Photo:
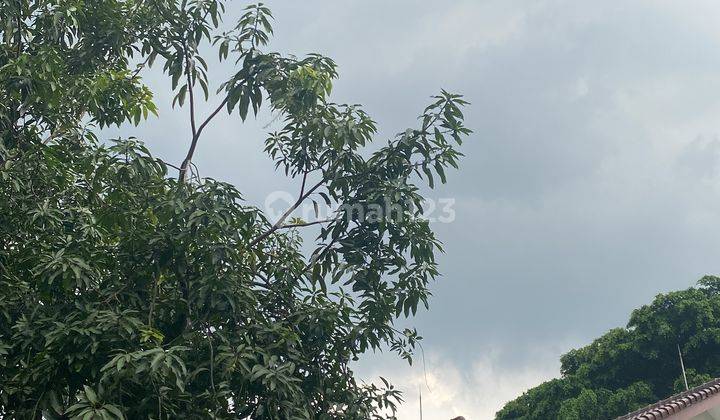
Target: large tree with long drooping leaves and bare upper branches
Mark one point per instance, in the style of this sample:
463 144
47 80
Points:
129 292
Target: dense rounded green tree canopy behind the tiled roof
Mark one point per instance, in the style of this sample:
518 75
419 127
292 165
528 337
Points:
628 368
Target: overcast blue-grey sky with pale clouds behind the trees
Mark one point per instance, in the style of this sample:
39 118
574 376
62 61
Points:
591 183
